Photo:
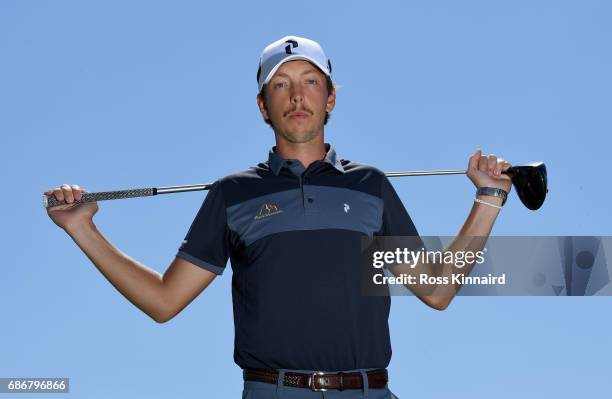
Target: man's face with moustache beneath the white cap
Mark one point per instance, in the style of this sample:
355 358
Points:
297 101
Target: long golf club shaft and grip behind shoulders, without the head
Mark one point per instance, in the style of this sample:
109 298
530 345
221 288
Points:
50 200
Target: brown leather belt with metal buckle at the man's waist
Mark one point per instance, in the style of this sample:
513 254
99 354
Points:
320 381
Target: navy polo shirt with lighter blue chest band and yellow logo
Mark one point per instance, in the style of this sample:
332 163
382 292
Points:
293 236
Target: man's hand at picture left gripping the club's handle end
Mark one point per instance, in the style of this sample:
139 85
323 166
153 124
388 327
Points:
71 216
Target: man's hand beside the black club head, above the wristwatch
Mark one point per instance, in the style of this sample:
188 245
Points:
485 171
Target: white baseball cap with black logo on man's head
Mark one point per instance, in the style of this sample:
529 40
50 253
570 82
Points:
290 48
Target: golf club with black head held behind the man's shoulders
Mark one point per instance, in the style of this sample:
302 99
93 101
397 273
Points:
529 181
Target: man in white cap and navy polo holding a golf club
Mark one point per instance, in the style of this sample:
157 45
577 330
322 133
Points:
292 228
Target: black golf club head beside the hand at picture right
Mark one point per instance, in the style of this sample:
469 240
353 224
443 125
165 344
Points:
530 183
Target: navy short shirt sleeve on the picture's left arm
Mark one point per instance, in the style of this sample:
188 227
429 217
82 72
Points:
207 243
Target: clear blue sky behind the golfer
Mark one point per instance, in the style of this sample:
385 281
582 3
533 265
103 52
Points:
113 95
